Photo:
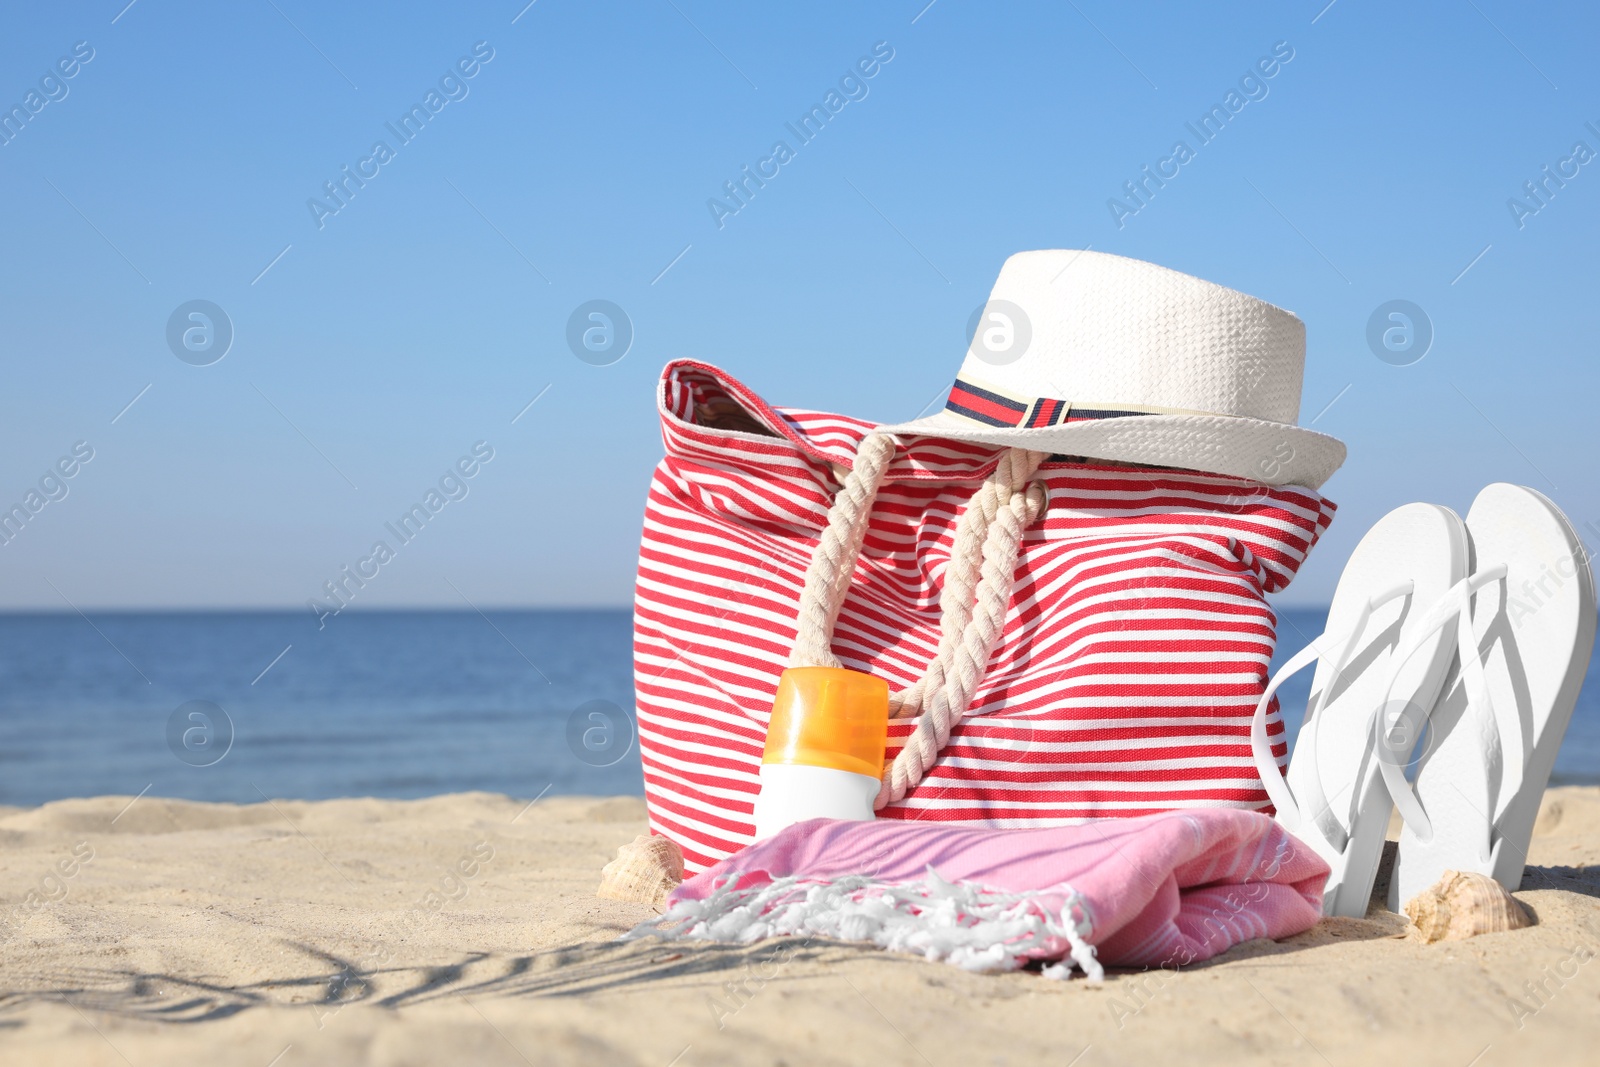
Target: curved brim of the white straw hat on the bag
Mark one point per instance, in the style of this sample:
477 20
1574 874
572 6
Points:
1274 454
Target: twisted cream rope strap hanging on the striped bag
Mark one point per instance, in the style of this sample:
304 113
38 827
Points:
972 605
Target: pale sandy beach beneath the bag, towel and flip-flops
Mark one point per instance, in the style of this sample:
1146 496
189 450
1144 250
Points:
465 930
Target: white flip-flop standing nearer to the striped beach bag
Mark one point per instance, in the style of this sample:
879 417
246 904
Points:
1334 796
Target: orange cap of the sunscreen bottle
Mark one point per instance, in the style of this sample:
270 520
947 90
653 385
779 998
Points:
830 717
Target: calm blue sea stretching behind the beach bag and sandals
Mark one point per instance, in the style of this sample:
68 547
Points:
242 706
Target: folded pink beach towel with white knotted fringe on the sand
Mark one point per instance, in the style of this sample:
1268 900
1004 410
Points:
1162 890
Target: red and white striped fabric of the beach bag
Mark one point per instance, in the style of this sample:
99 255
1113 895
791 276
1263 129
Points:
1134 653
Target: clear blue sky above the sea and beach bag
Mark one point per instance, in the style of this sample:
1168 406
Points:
423 316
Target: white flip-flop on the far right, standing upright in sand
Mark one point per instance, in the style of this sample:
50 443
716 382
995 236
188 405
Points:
1524 625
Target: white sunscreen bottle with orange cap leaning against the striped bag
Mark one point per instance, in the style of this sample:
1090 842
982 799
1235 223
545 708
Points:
825 748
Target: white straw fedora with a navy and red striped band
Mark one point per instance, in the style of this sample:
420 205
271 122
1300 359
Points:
1097 356
